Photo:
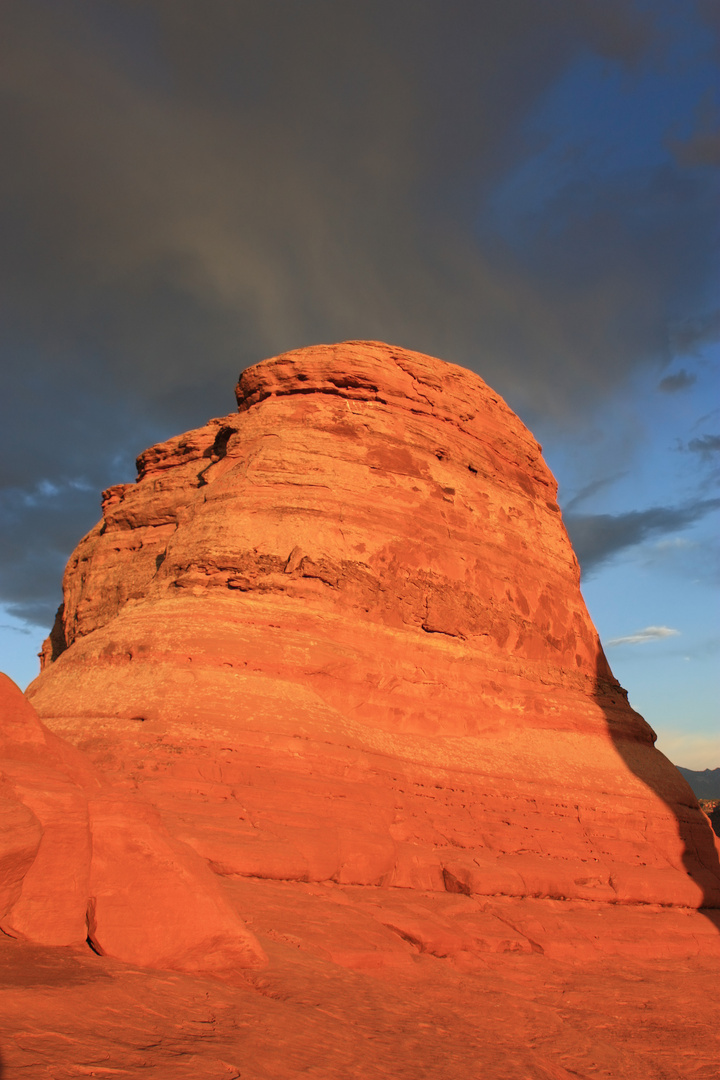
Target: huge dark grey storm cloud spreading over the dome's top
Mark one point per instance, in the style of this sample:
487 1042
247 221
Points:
191 187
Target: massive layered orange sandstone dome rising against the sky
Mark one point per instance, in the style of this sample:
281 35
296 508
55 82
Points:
338 636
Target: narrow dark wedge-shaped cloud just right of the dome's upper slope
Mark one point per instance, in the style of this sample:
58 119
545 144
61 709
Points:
596 538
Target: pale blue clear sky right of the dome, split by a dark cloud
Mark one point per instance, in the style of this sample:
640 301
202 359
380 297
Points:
669 583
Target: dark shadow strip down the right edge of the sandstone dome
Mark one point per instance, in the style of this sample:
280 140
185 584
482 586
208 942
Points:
635 745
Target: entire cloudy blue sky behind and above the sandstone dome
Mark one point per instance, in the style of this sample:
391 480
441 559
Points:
528 190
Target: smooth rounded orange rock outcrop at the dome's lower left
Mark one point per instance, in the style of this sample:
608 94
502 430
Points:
80 860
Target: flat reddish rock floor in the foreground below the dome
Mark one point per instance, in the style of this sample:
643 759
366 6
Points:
358 987
